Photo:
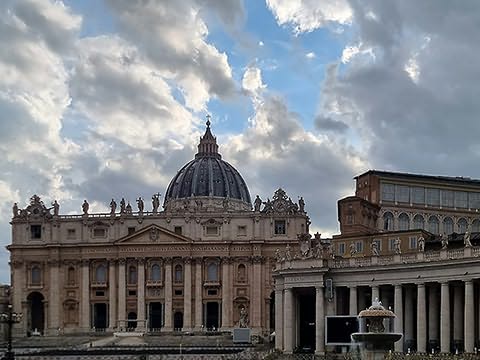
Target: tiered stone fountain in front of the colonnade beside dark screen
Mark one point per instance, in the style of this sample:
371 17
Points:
376 331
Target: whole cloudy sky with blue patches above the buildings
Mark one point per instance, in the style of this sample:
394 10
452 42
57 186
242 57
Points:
108 99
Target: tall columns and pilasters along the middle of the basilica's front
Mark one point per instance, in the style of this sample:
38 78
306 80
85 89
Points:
194 280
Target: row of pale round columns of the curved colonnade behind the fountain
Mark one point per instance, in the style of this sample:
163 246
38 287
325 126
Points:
438 316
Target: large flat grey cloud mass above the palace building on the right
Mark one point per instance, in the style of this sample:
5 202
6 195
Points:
413 104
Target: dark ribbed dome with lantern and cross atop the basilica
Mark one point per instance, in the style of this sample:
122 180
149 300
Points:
208 176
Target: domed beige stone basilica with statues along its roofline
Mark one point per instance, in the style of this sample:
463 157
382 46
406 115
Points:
192 266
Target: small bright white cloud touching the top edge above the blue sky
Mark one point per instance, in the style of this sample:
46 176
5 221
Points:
309 15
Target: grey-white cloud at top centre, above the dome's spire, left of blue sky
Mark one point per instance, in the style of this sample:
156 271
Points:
172 36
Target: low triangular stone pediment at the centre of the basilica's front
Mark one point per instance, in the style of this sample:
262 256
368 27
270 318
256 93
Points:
153 234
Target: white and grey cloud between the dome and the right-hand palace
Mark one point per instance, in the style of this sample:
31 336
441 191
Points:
277 151
